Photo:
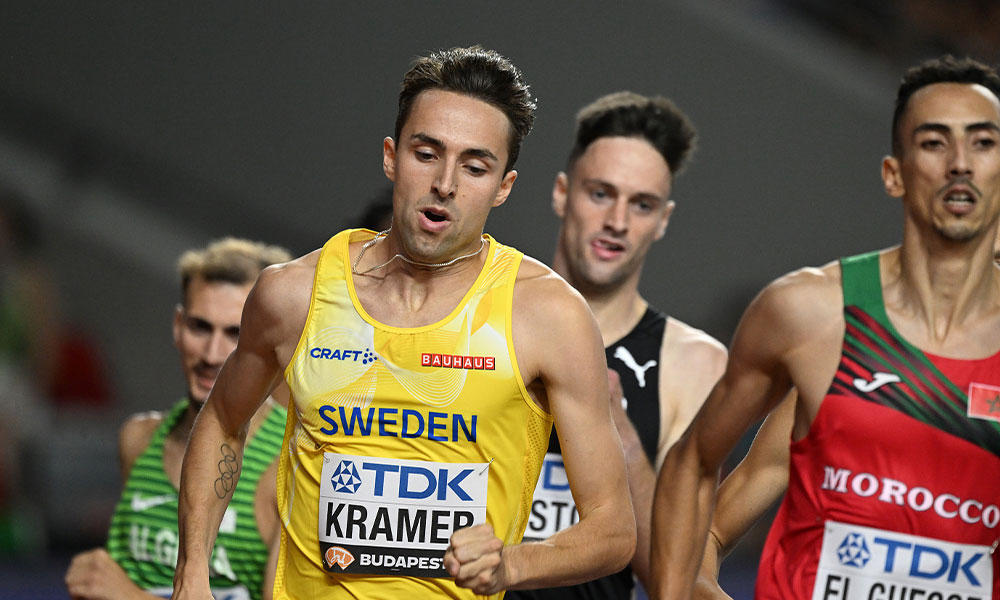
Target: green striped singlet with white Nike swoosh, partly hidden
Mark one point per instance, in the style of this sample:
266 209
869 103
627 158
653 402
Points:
143 535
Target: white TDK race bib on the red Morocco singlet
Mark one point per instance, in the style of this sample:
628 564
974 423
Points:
862 563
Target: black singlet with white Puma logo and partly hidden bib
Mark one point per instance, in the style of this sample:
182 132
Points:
636 358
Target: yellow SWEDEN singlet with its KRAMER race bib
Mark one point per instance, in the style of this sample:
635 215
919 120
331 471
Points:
400 436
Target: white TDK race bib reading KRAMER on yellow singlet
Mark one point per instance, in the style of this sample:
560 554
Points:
391 516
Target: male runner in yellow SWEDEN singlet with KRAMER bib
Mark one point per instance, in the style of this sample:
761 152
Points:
426 366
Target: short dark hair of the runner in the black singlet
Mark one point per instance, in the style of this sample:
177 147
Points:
626 114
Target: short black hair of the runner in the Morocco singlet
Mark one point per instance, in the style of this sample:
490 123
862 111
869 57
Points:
945 69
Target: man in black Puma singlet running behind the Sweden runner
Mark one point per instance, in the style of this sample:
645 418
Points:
614 201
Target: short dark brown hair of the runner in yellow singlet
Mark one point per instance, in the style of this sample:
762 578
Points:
477 72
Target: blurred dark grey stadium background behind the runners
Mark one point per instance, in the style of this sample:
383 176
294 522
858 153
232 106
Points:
130 132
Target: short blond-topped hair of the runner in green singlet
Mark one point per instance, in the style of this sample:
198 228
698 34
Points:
228 260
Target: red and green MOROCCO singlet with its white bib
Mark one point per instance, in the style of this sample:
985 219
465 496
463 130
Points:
893 494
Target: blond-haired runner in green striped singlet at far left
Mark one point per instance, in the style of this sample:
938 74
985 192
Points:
141 553
